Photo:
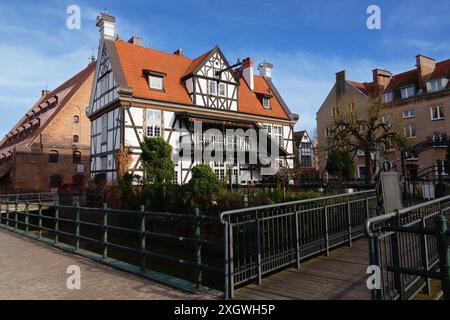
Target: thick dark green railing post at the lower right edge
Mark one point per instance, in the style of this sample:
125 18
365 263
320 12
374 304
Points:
442 235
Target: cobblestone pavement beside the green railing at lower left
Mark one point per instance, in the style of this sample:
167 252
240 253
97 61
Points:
33 270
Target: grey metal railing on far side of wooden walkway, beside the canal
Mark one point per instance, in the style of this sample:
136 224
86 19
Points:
264 239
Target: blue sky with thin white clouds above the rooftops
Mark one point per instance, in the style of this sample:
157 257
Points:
307 41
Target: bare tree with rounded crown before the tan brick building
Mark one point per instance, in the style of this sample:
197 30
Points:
370 134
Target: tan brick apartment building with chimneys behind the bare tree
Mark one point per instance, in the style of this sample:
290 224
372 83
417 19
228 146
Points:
415 101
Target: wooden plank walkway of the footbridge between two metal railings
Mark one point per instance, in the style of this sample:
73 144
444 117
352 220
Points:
341 276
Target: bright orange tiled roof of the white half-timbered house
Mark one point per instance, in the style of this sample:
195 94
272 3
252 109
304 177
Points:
134 59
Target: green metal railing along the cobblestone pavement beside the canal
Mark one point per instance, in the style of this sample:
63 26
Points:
127 240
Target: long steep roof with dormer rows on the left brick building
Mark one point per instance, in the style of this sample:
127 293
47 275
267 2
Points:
42 112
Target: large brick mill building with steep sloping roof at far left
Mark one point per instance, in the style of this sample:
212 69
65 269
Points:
49 146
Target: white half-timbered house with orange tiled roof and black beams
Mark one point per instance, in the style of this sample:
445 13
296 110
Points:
141 92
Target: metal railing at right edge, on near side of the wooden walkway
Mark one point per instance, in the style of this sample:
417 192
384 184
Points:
404 245
